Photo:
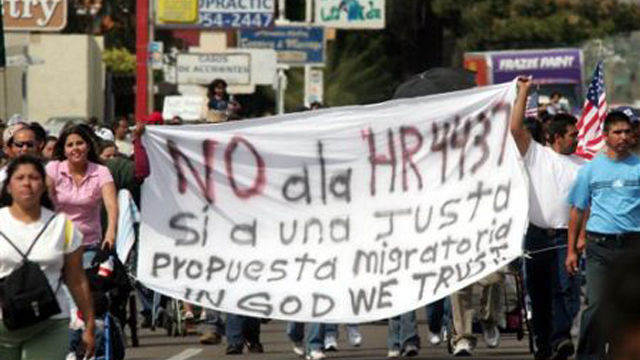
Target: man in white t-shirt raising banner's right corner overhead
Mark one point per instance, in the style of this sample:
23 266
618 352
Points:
555 296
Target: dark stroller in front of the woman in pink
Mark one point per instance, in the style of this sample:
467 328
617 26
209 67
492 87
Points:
110 287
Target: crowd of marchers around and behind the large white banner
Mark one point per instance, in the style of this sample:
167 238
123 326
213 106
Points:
59 209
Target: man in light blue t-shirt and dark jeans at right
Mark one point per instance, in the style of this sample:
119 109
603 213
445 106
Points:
610 186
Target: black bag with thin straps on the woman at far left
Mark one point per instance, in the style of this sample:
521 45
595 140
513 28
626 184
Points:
25 294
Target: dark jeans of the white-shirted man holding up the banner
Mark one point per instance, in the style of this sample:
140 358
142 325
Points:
554 294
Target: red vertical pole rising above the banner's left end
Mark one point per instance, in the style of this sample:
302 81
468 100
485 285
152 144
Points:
142 44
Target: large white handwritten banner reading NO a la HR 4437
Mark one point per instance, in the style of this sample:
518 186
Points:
341 215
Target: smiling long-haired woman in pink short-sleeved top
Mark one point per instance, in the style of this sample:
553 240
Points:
79 185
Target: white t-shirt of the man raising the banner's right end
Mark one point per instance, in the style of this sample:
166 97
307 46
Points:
551 176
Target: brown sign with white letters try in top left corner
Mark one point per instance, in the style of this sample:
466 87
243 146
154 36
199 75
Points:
34 15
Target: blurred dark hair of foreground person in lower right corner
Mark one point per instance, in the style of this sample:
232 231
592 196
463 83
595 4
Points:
619 313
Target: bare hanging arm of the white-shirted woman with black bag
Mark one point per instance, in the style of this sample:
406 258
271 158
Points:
76 281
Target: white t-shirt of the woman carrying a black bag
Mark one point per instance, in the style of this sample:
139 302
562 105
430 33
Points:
60 238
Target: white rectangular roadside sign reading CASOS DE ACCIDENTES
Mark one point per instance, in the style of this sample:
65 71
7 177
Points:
234 68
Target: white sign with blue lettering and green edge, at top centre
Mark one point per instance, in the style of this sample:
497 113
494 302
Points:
350 14
